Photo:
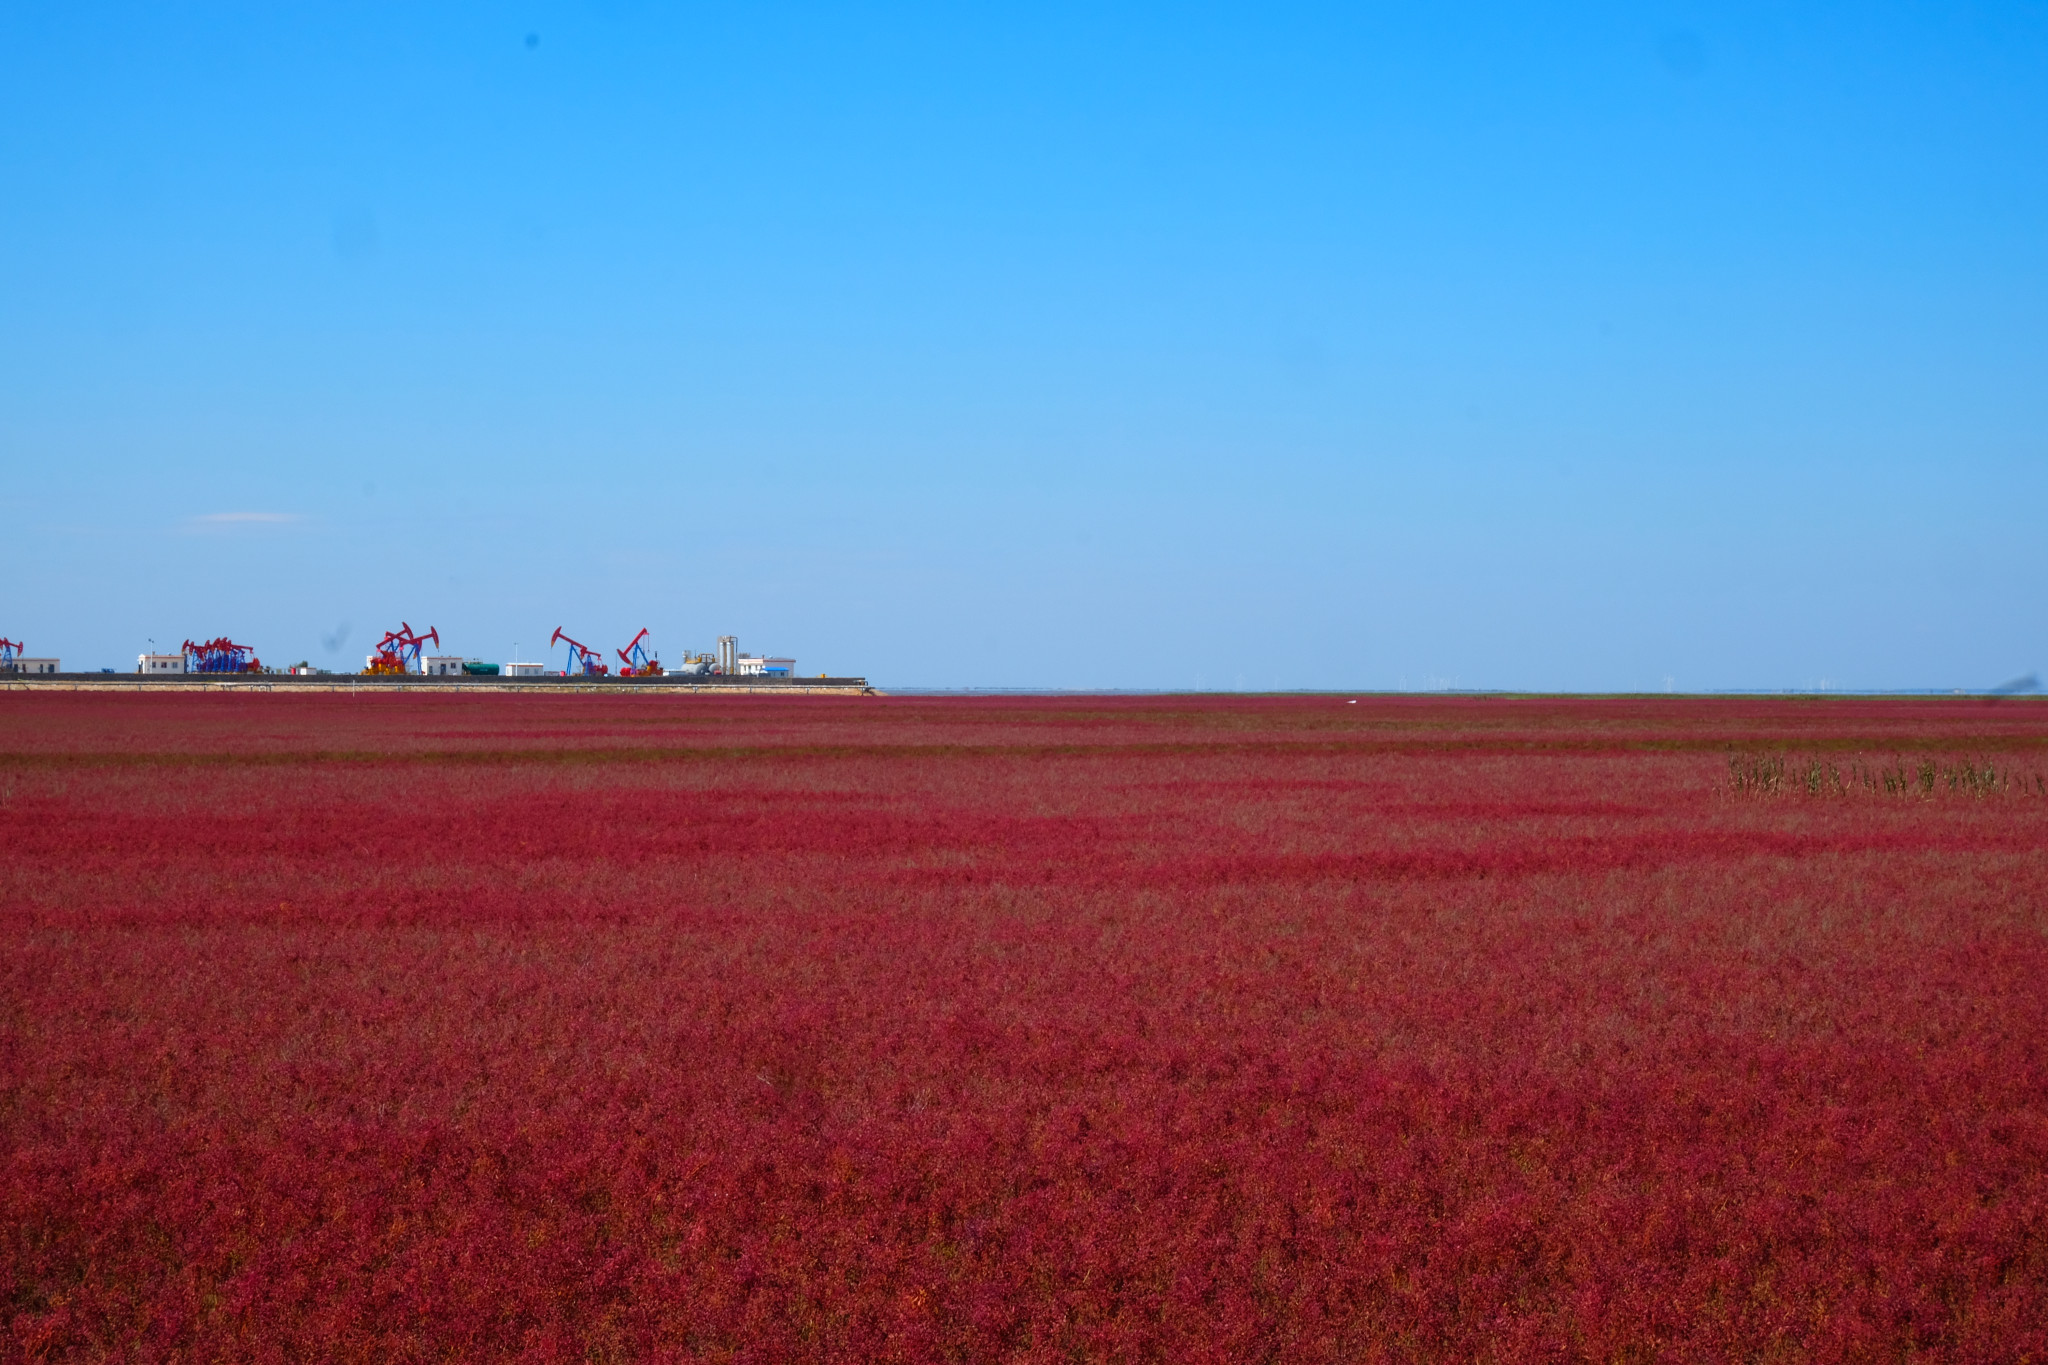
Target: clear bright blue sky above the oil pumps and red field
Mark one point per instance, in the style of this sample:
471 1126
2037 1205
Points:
1129 347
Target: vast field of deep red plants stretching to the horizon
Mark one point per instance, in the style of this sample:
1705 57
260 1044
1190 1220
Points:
1023 1030
